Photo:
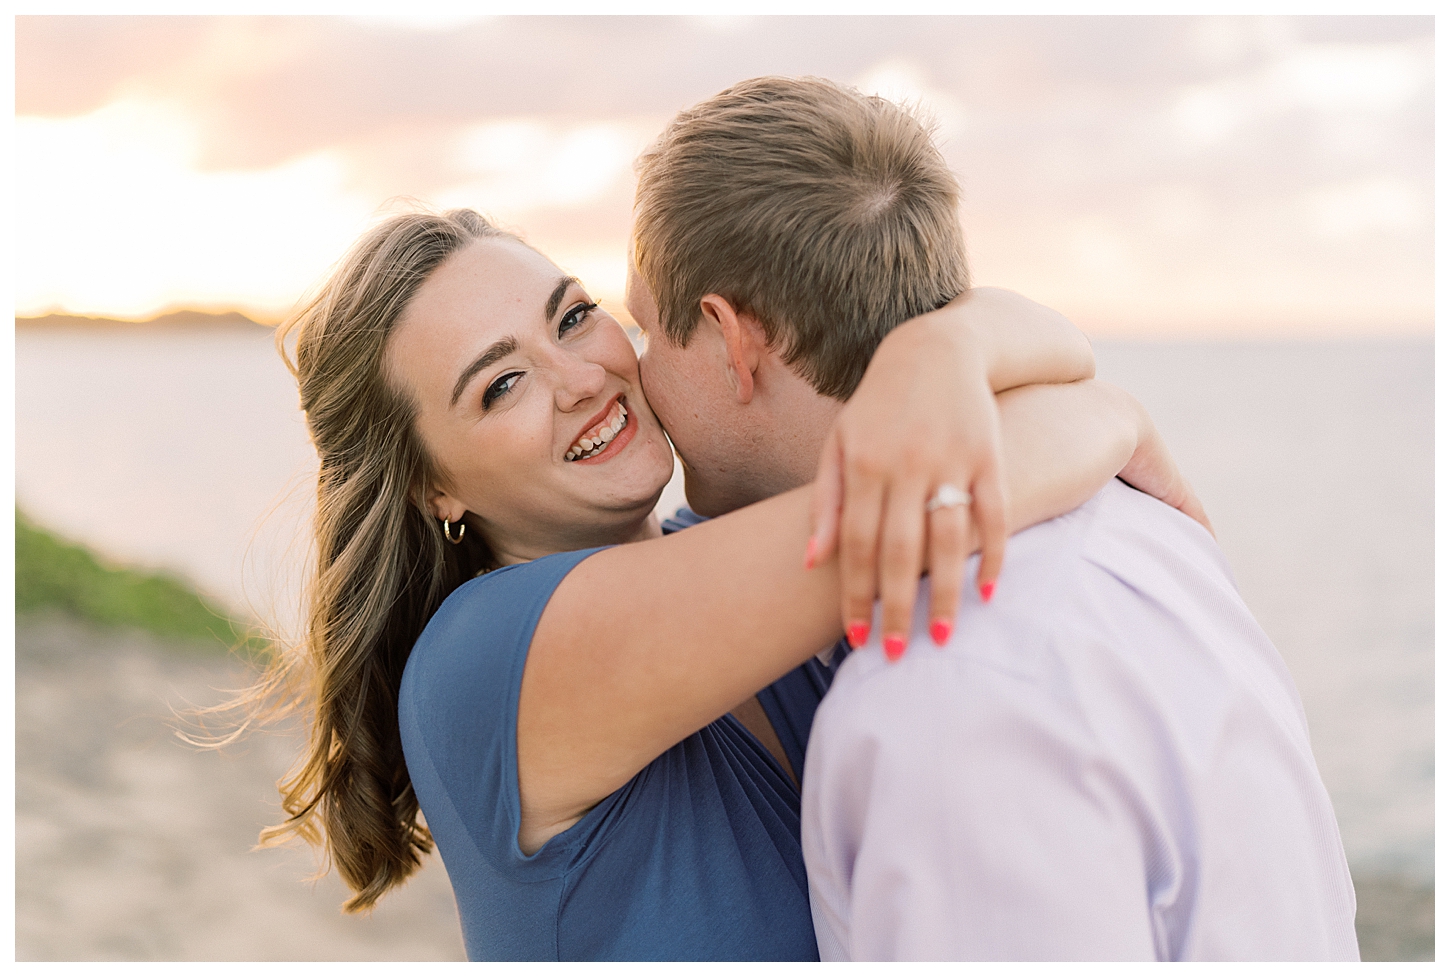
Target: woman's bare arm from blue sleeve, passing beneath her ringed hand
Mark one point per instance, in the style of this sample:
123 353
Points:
647 643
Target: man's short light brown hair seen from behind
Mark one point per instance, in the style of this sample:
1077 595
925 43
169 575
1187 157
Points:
826 214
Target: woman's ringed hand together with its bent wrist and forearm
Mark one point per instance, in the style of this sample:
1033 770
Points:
924 417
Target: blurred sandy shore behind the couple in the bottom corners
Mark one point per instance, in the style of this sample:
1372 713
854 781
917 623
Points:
133 846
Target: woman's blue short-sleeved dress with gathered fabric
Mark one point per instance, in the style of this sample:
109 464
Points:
698 857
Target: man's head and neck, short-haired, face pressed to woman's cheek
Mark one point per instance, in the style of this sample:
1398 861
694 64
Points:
782 230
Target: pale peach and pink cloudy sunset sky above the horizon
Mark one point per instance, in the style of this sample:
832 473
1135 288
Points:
1146 176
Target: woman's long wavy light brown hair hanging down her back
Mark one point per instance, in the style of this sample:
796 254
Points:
382 565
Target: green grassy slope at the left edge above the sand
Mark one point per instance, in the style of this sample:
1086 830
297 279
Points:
54 575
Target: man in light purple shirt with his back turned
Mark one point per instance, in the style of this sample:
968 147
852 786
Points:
1110 760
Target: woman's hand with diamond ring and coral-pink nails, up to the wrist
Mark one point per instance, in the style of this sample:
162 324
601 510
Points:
924 417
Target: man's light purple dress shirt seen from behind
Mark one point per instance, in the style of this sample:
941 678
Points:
1110 762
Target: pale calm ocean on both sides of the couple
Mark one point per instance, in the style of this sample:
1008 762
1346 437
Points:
185 450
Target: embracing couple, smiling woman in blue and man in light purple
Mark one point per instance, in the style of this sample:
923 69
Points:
758 731
